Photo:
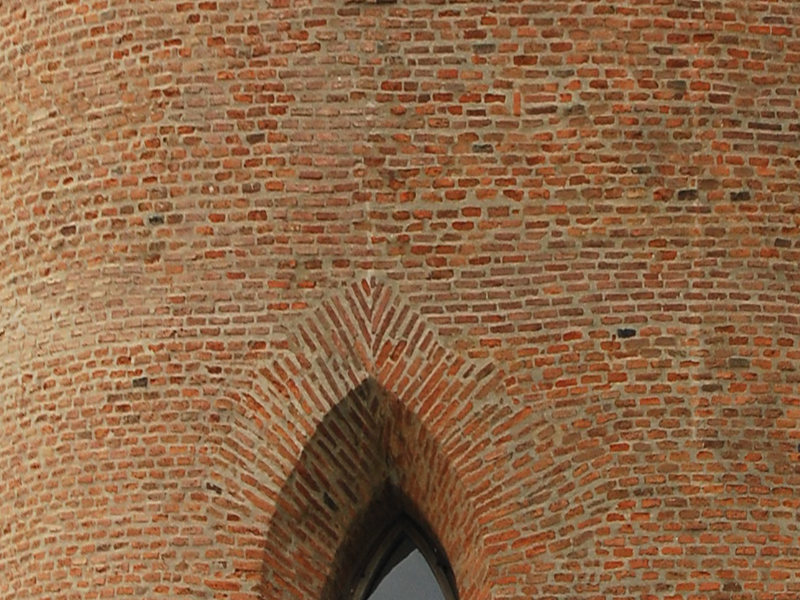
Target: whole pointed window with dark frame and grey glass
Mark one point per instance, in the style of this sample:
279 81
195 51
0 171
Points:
405 566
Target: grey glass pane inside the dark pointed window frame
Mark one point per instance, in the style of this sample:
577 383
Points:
406 576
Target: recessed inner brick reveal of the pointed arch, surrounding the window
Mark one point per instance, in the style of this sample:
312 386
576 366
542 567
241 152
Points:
370 460
